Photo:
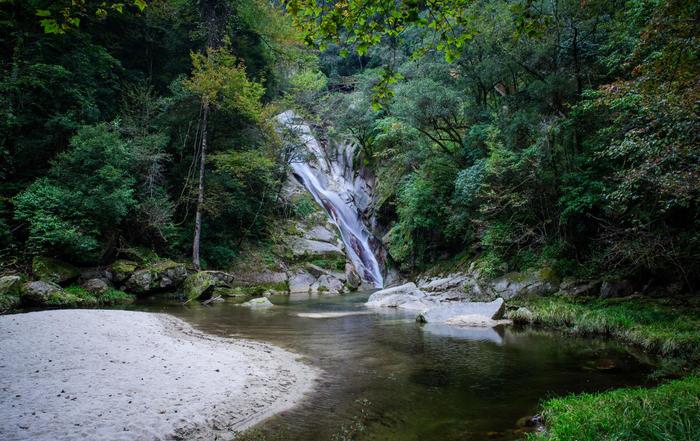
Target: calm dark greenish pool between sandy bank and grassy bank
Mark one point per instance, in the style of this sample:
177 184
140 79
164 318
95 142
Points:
406 381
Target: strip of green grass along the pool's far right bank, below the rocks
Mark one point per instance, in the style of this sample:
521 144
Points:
667 327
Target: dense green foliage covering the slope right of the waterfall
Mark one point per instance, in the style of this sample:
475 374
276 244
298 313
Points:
560 132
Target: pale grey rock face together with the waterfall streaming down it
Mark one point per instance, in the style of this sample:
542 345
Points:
345 194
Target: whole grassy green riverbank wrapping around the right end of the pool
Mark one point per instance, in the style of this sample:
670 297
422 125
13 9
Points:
667 328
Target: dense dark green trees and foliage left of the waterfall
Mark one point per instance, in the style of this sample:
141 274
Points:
100 124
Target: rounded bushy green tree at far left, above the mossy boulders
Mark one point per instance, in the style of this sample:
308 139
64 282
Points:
88 192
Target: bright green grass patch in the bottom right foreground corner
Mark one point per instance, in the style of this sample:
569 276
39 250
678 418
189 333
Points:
670 412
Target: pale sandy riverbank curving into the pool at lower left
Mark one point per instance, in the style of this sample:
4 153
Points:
95 374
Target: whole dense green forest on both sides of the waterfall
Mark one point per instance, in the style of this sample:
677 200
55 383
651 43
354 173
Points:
558 132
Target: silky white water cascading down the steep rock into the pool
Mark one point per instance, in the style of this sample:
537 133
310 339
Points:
331 184
